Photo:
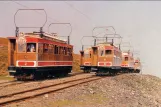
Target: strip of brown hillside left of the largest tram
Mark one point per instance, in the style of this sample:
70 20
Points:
3 55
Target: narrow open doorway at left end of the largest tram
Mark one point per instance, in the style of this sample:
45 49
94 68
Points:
12 52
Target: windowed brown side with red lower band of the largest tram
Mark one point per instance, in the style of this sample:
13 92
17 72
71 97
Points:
55 58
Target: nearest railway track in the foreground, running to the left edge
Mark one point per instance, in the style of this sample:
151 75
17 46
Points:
28 94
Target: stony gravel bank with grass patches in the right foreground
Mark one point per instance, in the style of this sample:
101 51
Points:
127 90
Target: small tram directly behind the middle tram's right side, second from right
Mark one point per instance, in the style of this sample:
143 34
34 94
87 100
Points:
127 65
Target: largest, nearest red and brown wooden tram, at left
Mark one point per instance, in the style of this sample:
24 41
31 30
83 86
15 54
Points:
38 55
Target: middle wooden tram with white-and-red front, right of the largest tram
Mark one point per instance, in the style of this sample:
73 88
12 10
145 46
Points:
107 59
